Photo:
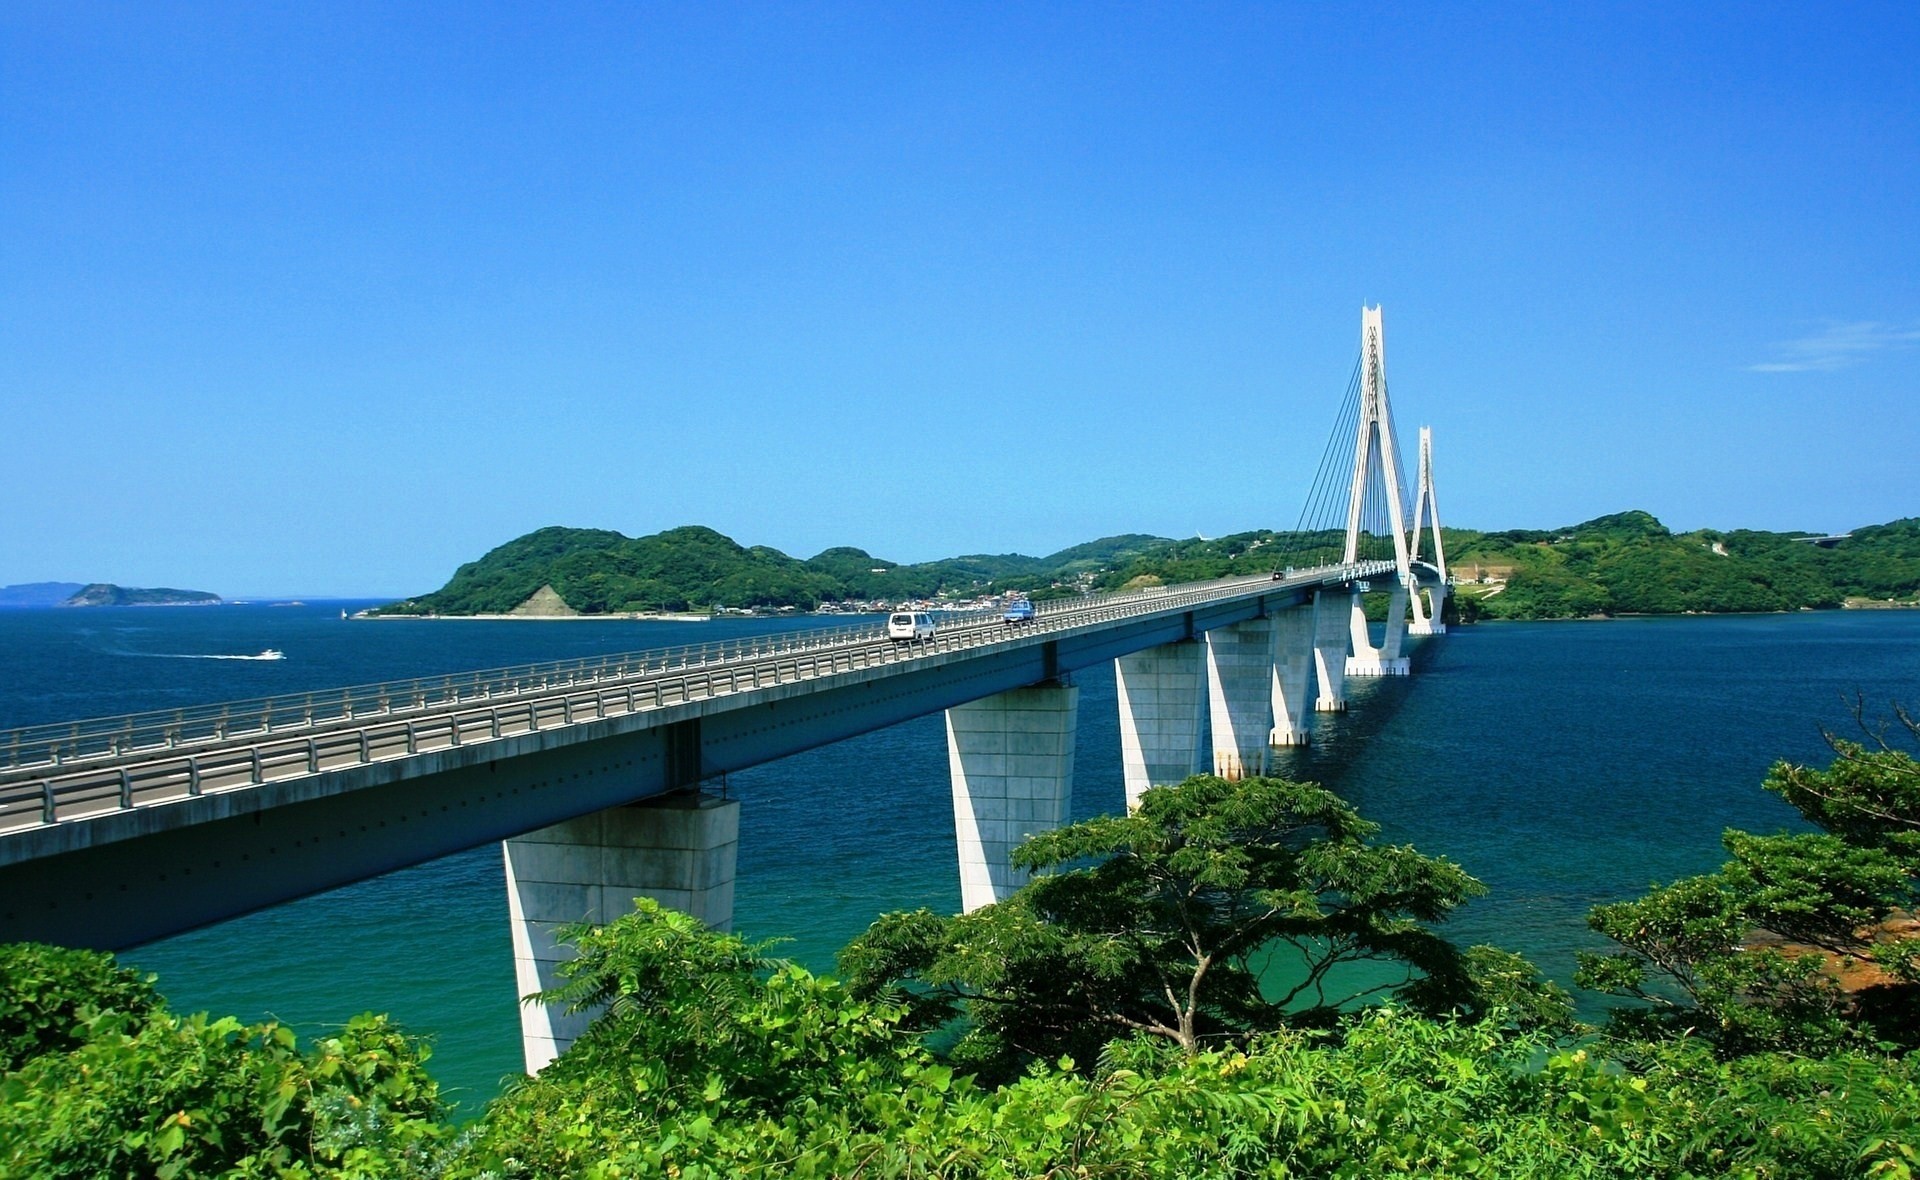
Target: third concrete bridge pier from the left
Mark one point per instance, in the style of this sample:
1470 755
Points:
1161 701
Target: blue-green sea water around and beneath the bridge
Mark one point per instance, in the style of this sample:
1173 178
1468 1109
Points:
1564 765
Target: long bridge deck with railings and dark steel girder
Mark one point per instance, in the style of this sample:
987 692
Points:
128 830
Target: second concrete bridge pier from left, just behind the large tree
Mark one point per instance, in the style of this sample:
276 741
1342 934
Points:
1011 757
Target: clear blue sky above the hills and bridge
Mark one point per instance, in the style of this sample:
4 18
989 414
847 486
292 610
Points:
327 298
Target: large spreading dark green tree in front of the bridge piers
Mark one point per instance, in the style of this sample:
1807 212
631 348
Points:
1214 910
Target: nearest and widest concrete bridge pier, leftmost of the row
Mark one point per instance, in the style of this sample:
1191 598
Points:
677 849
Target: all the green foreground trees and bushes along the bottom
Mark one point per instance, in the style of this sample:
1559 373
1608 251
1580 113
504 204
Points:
1105 1022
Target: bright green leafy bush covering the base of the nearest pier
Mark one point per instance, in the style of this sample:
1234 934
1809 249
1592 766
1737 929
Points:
700 1033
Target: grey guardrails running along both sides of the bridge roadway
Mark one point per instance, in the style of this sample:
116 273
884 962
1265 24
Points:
454 711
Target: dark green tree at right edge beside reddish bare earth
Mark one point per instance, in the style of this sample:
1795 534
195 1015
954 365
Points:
1754 958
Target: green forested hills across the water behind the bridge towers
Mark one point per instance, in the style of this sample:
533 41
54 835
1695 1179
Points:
1627 563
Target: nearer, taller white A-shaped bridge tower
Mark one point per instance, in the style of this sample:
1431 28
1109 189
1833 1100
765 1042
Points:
1378 458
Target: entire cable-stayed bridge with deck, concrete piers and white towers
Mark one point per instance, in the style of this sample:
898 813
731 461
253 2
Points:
118 832
